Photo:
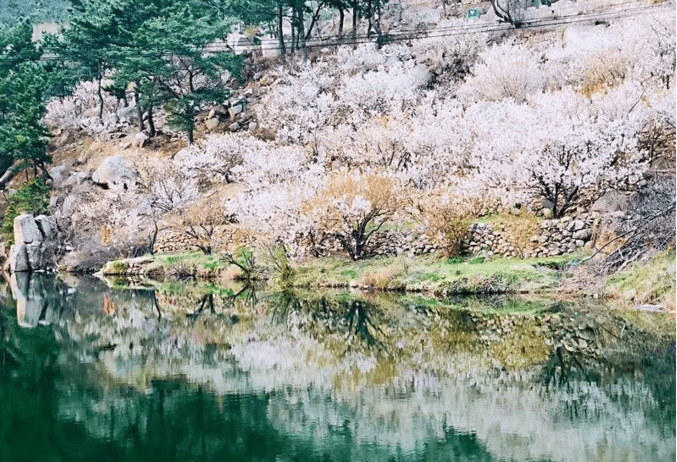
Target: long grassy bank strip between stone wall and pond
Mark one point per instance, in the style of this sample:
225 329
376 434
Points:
429 274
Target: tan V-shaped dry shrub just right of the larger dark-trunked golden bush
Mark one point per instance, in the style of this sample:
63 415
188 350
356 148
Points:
447 219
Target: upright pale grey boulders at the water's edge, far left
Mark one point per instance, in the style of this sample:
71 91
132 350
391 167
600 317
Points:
35 244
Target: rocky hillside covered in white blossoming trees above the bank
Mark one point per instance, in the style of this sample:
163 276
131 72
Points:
419 137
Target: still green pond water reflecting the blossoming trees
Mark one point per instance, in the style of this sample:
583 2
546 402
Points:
180 375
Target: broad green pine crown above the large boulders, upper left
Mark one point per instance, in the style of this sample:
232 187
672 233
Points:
163 47
